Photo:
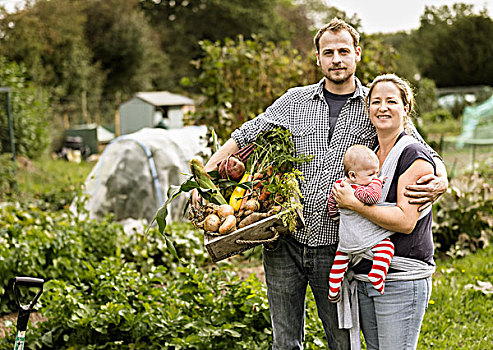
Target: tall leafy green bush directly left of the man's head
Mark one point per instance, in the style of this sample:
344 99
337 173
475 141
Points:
241 77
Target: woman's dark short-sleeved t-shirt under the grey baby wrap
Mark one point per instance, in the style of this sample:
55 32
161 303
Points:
419 243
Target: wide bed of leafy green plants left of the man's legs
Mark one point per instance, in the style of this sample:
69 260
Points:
110 290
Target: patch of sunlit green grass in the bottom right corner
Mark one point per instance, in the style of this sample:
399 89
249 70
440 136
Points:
458 316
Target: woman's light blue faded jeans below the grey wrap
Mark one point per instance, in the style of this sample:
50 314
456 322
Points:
392 321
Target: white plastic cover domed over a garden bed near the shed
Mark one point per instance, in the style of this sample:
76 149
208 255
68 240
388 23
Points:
122 181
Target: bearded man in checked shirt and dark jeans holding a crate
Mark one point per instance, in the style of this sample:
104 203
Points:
325 119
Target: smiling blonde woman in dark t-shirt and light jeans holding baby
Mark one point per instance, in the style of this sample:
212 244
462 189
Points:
393 320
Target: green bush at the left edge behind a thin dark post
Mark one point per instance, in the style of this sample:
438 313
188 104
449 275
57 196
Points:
29 106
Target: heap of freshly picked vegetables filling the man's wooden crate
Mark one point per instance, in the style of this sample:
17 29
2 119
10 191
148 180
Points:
269 182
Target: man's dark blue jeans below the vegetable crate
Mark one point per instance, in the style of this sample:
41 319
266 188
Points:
289 268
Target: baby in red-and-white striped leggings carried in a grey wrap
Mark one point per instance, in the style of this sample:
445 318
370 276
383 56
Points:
361 167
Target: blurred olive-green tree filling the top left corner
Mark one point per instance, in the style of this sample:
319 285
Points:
47 37
